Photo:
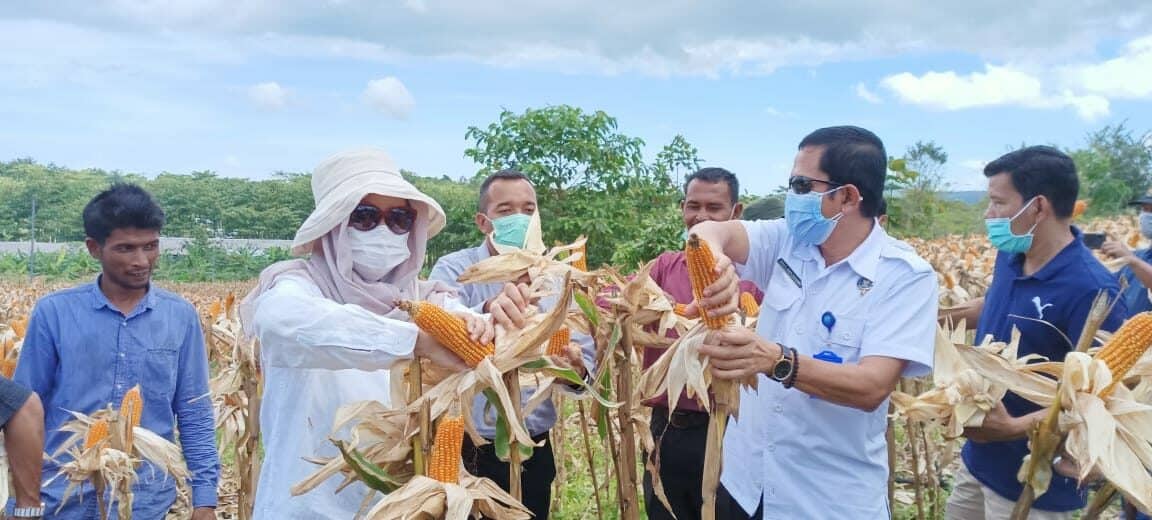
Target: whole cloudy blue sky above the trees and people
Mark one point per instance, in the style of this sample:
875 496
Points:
247 88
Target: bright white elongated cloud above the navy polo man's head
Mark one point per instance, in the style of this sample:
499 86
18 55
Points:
995 87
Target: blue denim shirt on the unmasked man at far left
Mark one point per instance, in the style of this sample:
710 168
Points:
82 355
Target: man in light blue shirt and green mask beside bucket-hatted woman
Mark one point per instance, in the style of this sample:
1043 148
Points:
507 206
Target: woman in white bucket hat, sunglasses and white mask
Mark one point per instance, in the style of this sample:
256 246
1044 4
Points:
328 325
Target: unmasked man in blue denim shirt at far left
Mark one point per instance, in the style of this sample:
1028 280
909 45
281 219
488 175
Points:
87 346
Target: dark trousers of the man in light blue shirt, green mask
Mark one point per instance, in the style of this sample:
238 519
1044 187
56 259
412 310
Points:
536 478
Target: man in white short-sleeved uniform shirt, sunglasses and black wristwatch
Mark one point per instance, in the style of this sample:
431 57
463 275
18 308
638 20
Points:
847 312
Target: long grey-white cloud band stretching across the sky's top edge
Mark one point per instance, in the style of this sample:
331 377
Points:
645 36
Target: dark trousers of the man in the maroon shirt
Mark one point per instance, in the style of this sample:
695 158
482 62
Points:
681 450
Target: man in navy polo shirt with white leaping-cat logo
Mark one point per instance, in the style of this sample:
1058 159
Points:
1044 284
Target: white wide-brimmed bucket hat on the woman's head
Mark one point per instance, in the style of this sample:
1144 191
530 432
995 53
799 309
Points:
343 180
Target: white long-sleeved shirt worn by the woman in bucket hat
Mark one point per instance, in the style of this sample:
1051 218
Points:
317 357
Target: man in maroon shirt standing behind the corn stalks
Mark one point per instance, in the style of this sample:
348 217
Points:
710 194
